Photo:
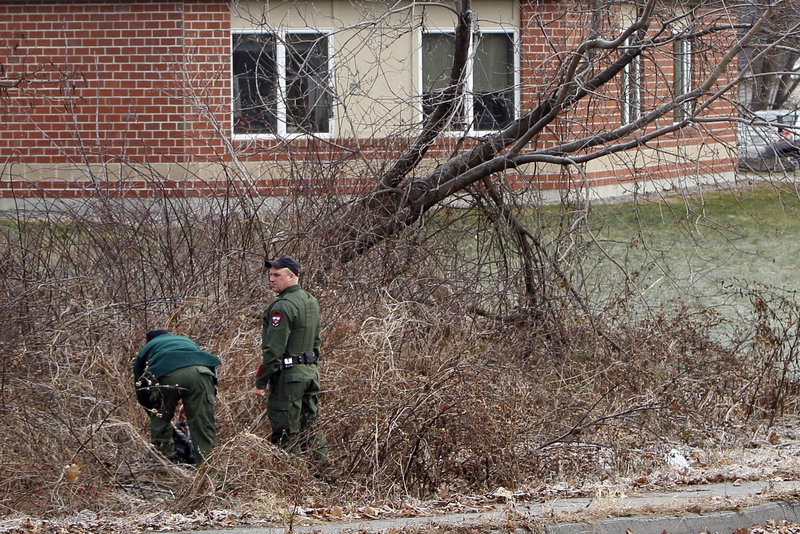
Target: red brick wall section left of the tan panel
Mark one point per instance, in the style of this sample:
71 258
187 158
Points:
99 83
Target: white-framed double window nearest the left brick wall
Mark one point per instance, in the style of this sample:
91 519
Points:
281 82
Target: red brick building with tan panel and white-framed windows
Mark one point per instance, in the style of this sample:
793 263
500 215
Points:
199 97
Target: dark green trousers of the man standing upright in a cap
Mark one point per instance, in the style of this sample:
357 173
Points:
293 409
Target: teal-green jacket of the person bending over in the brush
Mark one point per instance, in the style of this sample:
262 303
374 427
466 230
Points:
164 354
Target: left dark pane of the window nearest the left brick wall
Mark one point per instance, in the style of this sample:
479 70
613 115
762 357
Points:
254 83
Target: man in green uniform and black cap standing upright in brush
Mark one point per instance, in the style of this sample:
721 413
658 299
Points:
290 341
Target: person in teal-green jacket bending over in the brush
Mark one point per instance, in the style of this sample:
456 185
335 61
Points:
170 368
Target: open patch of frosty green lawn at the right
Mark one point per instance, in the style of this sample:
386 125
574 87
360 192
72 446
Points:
692 247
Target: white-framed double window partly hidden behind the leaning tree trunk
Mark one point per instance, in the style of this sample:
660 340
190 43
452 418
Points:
490 97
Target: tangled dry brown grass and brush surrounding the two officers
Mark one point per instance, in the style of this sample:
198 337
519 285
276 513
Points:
422 394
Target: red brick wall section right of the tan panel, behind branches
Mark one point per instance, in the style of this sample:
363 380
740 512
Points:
549 33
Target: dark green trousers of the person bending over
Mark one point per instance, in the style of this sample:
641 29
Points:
194 385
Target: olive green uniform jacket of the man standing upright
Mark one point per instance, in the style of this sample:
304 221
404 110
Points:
290 327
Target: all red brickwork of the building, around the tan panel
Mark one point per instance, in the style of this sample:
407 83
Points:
99 85
